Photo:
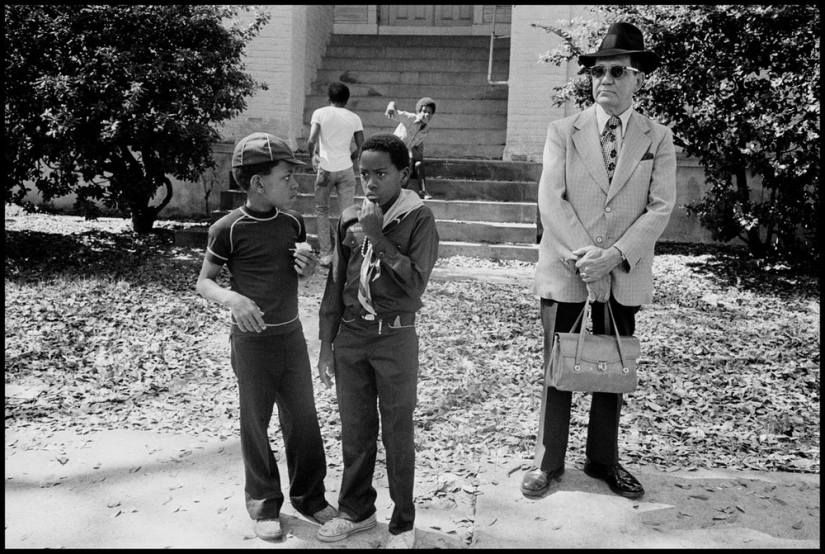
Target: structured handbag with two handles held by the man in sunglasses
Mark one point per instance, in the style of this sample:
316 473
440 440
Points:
593 363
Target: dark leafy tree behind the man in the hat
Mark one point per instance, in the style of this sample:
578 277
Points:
739 86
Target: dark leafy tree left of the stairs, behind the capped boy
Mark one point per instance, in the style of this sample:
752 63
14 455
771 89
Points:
107 101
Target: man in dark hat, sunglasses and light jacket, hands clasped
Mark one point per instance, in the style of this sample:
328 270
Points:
606 192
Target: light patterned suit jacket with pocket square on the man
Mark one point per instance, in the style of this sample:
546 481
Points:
579 208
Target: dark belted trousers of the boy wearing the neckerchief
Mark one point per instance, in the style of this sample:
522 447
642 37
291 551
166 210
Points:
377 365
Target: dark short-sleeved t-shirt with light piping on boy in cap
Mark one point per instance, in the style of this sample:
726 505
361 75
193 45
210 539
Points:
257 248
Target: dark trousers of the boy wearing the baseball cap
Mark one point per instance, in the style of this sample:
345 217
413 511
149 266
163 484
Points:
275 369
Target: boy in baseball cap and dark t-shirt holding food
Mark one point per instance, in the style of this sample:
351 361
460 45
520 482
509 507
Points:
261 245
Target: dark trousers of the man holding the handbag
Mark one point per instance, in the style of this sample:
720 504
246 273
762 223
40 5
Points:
605 408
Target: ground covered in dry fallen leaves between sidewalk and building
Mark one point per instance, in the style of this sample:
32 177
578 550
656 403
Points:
104 330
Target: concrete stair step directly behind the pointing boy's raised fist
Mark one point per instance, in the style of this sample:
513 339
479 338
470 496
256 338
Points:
362 105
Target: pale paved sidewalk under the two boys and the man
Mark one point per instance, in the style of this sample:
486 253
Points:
142 489
